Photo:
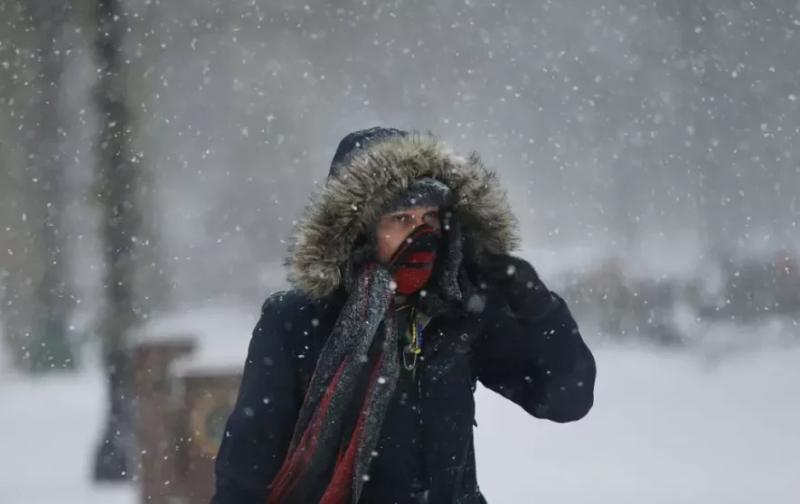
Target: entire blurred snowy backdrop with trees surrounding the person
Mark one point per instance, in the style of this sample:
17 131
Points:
154 155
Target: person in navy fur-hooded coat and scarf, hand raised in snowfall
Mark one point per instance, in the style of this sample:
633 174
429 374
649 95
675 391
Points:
359 380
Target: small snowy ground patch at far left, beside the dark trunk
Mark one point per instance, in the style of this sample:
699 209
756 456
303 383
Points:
48 432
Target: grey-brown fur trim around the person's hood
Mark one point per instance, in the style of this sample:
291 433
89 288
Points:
353 200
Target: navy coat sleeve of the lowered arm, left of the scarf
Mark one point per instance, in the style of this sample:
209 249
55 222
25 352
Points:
259 428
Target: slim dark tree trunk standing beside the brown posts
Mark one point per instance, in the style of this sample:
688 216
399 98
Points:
117 182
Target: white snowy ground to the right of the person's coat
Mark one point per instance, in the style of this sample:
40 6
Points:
664 429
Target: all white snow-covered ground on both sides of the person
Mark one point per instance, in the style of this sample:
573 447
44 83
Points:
666 428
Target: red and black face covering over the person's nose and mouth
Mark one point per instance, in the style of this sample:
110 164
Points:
412 263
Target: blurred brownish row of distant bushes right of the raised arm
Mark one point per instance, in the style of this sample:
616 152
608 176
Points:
682 311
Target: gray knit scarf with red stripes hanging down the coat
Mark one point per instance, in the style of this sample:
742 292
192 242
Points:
339 422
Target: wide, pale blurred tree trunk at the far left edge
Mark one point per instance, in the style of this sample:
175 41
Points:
36 302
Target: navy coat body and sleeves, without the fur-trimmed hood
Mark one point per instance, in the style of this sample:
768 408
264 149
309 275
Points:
543 365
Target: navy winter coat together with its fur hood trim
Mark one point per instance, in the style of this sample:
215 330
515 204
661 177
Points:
539 362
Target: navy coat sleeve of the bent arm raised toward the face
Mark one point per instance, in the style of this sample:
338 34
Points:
538 360
